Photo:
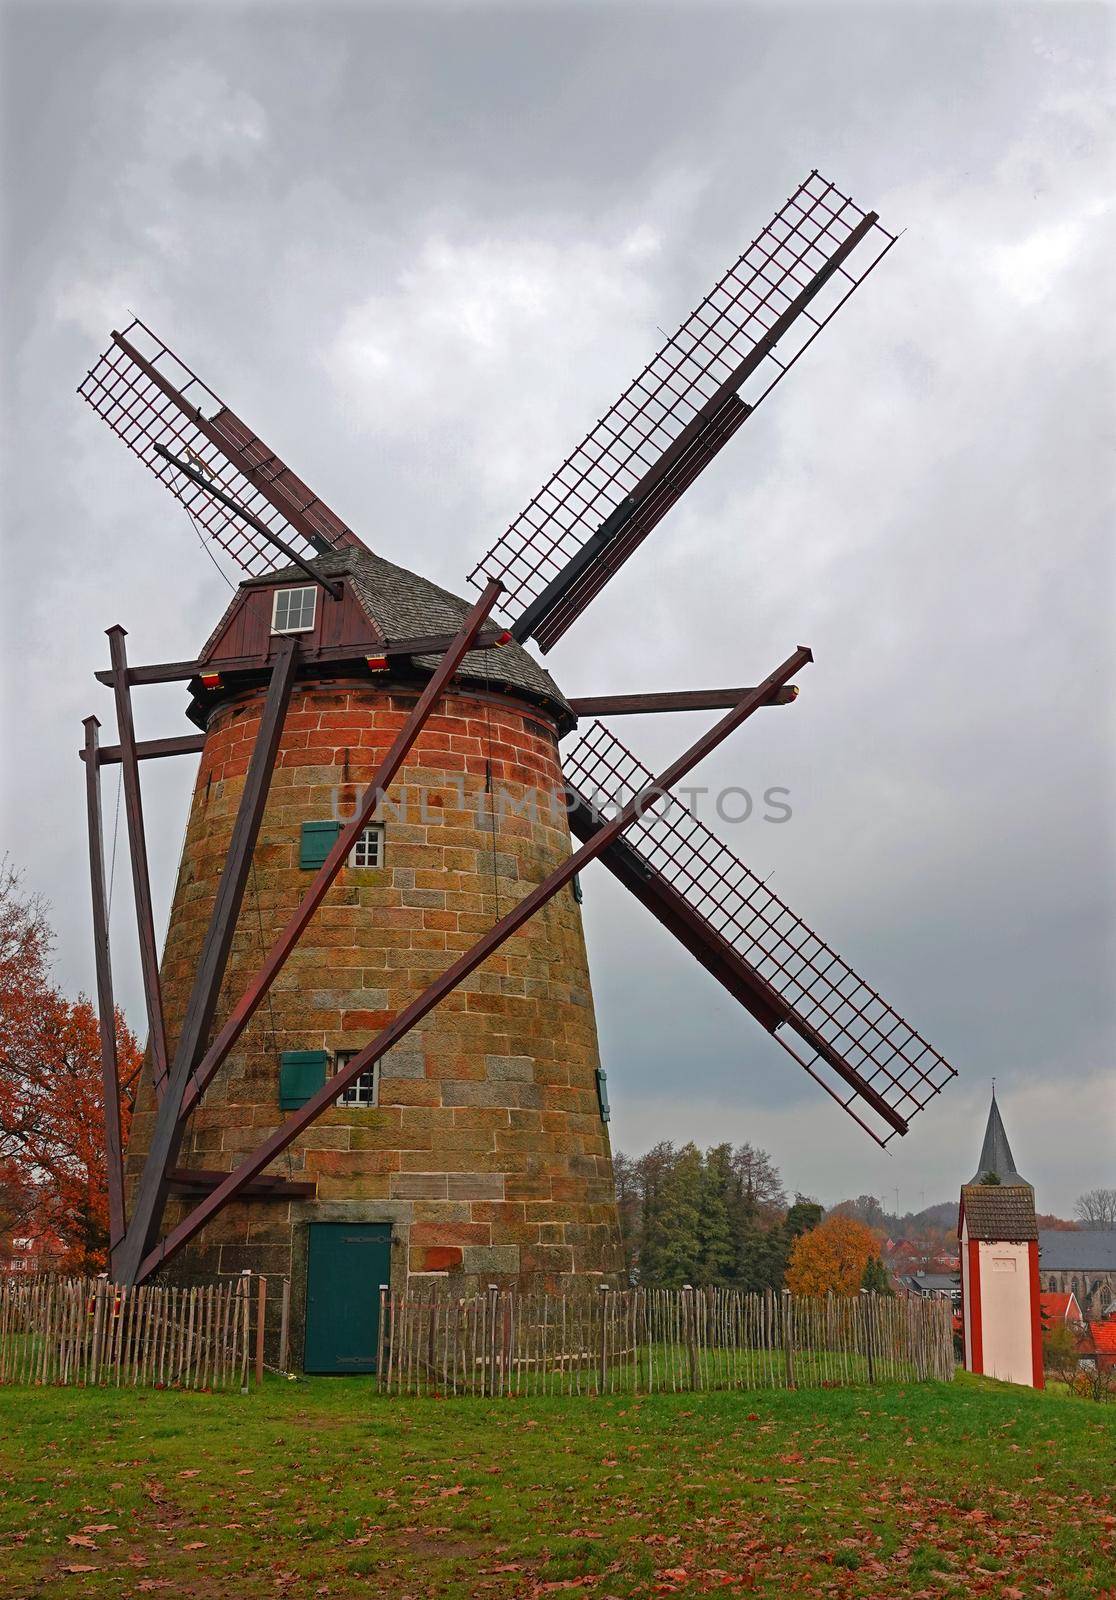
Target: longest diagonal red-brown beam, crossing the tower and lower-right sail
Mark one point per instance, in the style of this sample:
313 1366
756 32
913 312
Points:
461 969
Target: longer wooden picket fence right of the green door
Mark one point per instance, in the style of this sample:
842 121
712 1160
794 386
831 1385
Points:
647 1342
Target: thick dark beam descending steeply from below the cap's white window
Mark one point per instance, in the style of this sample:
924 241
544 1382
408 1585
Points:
151 1196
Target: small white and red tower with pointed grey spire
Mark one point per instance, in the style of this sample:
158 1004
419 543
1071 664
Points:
1002 1308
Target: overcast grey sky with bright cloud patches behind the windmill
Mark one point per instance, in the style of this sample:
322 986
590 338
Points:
421 250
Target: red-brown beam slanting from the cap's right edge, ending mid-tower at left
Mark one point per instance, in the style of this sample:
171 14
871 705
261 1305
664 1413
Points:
335 862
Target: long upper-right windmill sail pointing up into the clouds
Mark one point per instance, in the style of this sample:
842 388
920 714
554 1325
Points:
685 406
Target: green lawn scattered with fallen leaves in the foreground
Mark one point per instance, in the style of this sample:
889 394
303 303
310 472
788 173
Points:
325 1489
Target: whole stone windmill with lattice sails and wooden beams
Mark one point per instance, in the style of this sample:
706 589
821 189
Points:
399 1010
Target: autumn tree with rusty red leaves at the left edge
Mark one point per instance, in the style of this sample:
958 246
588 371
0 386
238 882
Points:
52 1097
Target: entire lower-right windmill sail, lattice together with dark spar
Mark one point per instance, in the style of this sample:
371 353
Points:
802 991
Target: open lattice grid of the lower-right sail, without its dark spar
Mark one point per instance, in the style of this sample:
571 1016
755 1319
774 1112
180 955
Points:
738 908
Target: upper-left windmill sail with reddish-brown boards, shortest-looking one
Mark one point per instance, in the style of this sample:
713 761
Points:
149 396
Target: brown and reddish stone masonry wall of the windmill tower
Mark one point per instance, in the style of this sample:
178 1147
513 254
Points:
487 1148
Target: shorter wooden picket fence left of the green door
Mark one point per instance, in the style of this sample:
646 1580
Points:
90 1332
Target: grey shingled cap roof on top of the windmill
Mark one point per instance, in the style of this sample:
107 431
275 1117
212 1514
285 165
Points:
405 606
